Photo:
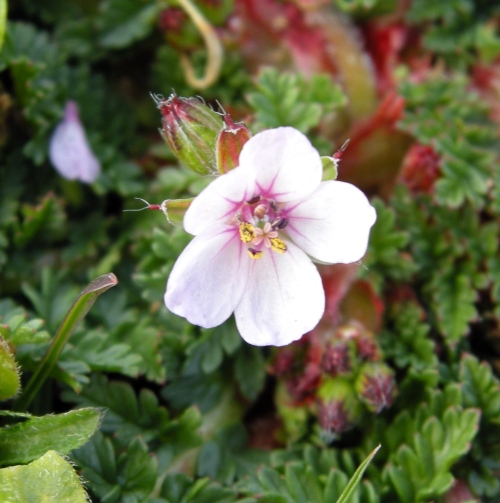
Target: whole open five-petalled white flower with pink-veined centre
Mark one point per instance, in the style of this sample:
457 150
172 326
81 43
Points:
255 229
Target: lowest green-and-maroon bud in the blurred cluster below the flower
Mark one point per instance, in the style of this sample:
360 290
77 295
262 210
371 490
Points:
338 408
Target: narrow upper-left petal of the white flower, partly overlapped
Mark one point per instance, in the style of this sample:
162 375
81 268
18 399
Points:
219 200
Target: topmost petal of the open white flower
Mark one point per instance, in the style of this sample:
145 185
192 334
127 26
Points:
286 165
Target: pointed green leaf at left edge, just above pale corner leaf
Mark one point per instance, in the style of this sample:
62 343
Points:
27 441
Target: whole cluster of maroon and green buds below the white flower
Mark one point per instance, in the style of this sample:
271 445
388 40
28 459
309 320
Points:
336 380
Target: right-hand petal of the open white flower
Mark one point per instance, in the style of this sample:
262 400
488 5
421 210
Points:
333 224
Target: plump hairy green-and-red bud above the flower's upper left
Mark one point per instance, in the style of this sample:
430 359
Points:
190 129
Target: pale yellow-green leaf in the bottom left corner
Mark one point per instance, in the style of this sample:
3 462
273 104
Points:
50 478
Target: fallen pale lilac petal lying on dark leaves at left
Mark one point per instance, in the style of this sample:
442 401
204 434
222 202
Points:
69 150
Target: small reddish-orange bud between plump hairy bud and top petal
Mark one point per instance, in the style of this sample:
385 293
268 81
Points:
229 144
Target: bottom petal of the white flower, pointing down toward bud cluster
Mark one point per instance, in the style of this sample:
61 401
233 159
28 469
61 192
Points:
283 300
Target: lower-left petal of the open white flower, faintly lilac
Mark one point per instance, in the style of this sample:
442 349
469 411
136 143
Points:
209 277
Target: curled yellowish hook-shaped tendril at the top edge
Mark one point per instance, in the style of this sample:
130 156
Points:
213 45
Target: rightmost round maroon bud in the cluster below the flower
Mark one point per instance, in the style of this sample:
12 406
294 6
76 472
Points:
376 386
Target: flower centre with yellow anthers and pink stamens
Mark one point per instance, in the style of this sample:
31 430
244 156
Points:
259 222
